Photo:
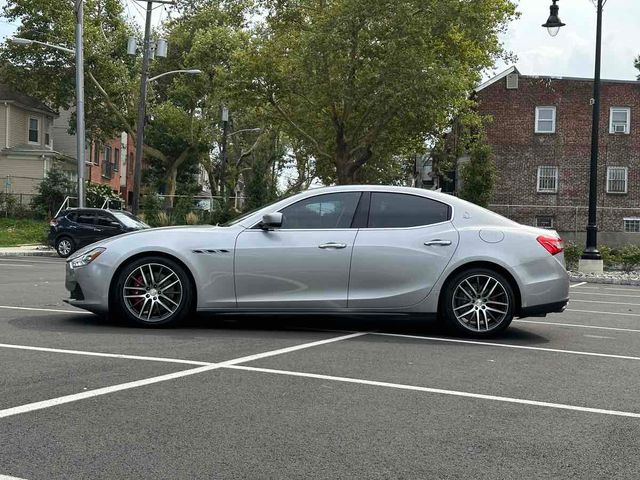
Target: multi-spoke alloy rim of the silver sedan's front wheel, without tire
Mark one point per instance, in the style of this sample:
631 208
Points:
152 292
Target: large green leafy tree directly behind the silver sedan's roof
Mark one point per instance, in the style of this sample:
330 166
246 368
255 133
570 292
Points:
359 81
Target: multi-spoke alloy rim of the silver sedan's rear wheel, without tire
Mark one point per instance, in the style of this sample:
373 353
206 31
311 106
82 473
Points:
480 303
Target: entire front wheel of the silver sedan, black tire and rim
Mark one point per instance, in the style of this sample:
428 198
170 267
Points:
134 310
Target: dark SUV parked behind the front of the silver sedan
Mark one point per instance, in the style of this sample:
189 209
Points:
74 228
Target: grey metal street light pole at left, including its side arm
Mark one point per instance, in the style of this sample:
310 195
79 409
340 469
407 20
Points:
80 126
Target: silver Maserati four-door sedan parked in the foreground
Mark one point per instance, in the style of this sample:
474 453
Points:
347 249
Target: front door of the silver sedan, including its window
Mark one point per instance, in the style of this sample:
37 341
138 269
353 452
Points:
303 264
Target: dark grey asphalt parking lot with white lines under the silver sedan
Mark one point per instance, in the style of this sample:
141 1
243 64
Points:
316 397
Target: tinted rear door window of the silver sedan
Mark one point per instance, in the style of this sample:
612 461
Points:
396 210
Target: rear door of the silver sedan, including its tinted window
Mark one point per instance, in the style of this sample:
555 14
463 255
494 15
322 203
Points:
408 242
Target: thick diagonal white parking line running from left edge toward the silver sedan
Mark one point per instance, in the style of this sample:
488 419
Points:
163 378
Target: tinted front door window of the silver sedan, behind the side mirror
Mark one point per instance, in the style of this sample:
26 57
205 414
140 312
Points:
333 210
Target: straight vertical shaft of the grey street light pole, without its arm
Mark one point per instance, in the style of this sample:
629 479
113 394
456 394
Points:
80 130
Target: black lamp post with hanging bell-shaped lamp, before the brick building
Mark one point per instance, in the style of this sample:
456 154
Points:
591 260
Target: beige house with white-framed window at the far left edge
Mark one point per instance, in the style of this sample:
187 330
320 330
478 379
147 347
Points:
26 143
